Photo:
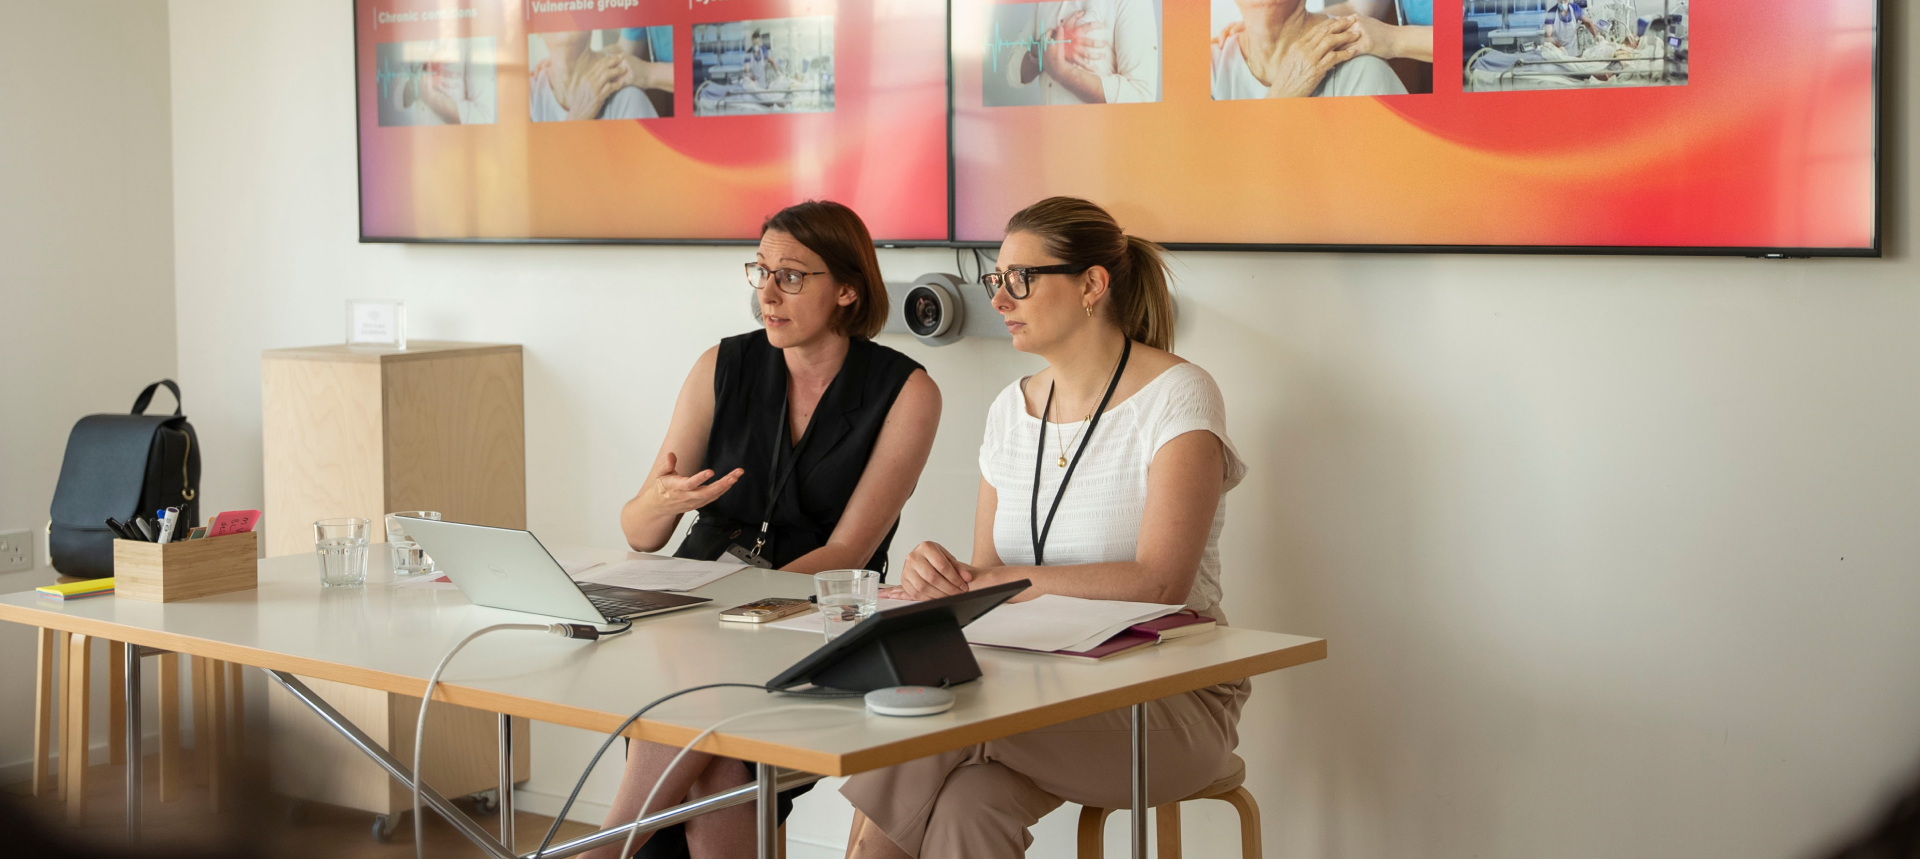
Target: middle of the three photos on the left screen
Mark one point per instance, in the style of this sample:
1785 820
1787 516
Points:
610 74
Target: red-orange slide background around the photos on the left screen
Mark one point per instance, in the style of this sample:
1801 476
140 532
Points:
882 149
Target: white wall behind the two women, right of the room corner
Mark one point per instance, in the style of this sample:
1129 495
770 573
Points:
1616 554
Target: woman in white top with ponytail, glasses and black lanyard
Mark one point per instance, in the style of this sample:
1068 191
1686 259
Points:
1128 508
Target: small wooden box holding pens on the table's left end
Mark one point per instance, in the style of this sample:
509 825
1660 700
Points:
187 570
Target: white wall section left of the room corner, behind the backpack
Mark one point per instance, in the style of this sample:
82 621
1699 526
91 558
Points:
85 266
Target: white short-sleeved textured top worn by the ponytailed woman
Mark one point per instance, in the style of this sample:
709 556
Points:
1099 516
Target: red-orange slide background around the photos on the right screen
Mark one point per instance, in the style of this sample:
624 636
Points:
1771 145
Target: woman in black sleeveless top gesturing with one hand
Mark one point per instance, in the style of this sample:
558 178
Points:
817 435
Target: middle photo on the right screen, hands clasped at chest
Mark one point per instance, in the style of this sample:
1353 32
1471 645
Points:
1301 49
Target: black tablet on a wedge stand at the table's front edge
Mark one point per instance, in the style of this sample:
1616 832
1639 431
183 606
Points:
907 647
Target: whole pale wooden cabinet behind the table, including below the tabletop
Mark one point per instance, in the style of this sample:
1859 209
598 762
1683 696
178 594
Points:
364 433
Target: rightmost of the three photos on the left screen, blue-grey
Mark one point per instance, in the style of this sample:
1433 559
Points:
771 66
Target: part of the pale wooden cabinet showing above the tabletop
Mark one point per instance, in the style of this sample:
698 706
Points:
362 433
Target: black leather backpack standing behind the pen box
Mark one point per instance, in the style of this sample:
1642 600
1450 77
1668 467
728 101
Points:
120 466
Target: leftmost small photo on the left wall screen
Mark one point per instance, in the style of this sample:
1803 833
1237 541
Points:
437 82
